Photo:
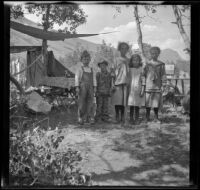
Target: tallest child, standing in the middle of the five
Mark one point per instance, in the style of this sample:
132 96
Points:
119 98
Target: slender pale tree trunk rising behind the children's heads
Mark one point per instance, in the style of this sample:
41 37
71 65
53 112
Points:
139 31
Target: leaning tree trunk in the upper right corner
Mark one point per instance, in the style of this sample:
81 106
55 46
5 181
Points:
180 27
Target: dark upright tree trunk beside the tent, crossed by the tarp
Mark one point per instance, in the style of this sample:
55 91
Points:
44 42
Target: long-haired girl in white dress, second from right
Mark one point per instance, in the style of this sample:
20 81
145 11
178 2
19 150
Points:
135 101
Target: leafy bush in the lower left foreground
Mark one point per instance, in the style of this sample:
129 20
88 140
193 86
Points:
34 159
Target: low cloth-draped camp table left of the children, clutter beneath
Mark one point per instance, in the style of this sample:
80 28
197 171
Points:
62 90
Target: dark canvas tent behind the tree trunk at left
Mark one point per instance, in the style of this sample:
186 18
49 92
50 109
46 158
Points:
36 73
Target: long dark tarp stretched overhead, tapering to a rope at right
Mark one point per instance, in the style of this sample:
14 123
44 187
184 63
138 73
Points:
41 34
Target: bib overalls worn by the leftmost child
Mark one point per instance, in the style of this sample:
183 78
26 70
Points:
86 95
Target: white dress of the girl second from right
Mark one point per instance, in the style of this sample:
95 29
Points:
135 83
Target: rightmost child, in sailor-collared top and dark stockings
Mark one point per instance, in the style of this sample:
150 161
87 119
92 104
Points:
154 78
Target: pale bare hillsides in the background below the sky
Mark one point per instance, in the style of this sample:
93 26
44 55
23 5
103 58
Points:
61 48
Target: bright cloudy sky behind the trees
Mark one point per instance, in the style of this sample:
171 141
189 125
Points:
157 30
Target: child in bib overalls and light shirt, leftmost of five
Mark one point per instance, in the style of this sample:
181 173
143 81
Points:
85 83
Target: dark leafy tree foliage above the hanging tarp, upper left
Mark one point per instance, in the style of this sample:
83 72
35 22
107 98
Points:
70 14
